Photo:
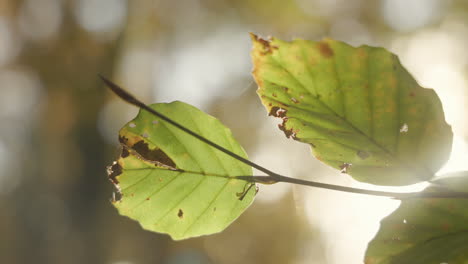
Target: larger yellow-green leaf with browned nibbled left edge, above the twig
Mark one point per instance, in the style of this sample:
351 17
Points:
358 108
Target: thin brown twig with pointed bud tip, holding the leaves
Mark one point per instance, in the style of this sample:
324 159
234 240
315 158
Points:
272 176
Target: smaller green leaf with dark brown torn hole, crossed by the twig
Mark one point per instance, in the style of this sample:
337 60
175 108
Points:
171 182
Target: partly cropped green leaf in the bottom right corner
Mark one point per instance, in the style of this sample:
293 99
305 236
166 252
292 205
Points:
425 230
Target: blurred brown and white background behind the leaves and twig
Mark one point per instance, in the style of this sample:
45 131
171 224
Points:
59 124
